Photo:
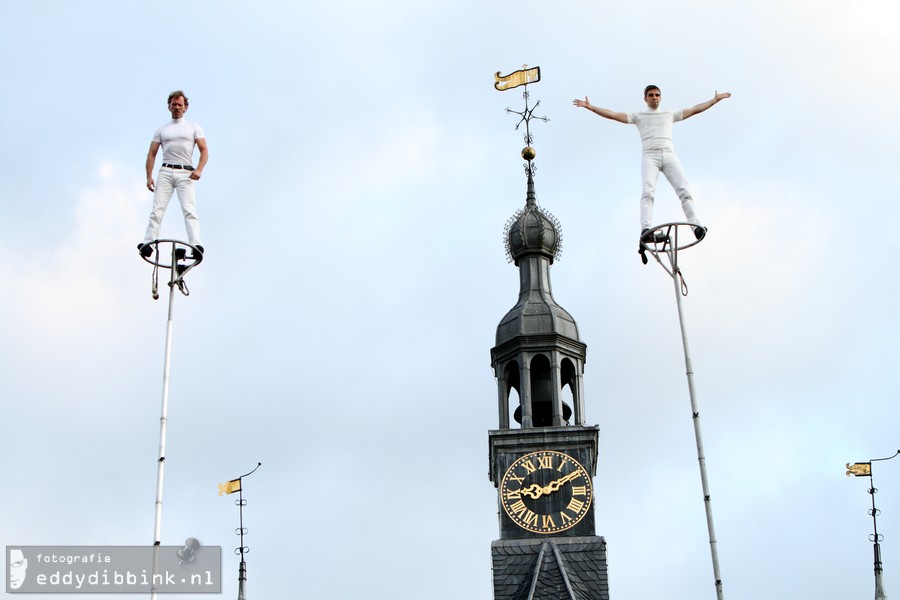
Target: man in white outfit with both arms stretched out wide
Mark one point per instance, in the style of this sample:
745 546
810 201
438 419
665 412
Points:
655 127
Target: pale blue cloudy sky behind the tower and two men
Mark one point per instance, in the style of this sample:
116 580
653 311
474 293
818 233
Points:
361 170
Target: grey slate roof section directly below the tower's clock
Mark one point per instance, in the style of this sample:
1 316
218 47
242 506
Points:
550 569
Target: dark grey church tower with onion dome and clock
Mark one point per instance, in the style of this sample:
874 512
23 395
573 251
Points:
543 463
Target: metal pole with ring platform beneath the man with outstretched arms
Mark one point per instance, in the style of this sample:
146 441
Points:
665 240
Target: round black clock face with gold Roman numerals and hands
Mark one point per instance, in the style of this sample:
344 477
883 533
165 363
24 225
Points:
546 492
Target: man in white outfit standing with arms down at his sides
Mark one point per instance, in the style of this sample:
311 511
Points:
177 138
